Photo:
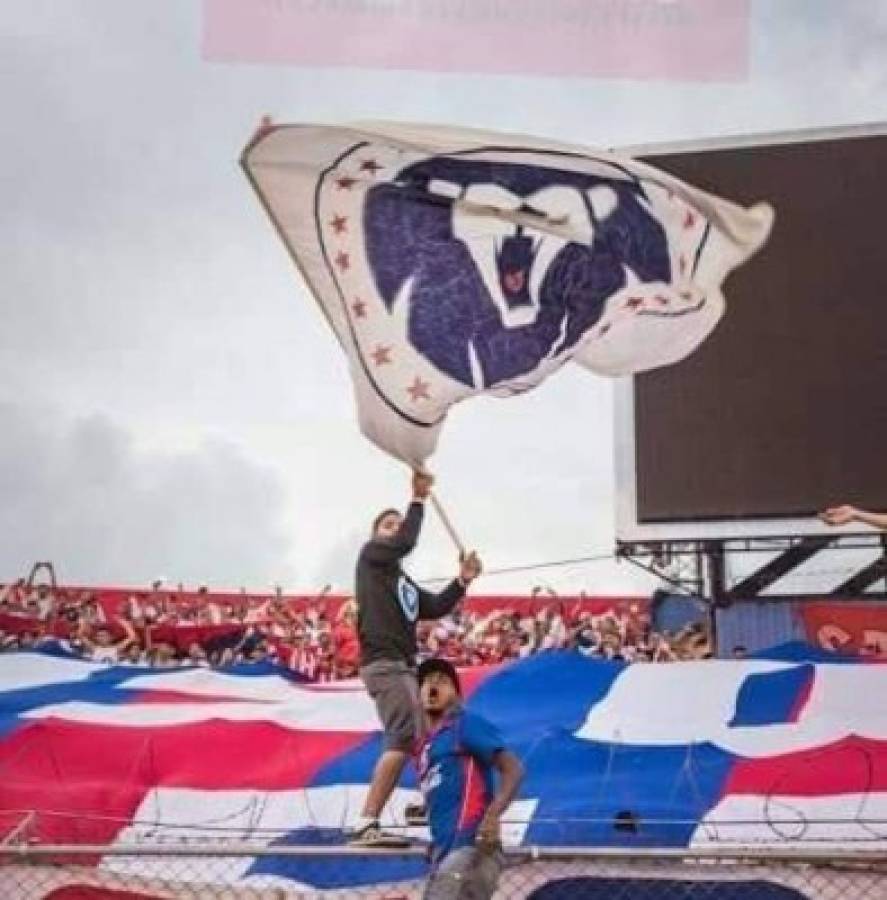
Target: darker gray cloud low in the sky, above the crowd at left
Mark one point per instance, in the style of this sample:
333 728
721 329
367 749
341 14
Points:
82 493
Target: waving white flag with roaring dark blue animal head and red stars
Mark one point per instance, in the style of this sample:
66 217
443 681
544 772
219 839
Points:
453 263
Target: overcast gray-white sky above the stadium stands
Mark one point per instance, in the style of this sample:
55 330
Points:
172 403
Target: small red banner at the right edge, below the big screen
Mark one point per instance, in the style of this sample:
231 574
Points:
848 627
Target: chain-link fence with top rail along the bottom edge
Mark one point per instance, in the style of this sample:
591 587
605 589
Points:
244 872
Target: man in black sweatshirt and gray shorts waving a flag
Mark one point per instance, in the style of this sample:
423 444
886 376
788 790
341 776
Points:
389 604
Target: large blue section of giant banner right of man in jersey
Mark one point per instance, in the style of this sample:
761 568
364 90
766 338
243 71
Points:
588 792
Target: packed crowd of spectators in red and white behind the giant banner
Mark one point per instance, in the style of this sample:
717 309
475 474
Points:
317 636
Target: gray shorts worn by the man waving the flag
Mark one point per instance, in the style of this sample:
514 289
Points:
393 687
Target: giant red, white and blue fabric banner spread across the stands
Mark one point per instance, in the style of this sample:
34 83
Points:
772 752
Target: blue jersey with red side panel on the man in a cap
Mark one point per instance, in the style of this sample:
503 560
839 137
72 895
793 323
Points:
456 777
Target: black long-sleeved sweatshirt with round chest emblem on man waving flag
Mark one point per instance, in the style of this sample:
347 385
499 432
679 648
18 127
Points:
389 602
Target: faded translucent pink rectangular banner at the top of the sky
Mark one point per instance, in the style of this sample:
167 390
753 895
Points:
688 40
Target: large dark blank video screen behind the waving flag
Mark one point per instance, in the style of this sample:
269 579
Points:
784 409
